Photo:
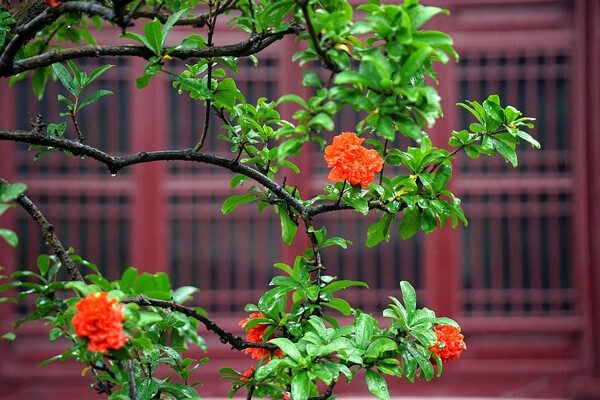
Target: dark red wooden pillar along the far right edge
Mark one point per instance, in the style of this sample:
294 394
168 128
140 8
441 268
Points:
587 191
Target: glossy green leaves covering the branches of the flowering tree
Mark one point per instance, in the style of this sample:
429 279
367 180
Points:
378 62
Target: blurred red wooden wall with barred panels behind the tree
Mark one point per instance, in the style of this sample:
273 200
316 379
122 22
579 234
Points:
522 279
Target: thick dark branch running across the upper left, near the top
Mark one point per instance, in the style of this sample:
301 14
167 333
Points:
254 44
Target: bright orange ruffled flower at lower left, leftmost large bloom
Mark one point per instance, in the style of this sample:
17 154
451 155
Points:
101 321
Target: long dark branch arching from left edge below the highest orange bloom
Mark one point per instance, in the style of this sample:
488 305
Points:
116 163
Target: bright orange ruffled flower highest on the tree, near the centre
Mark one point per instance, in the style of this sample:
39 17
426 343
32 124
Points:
351 161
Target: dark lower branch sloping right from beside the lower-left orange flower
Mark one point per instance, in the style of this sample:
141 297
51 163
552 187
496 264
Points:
236 342
